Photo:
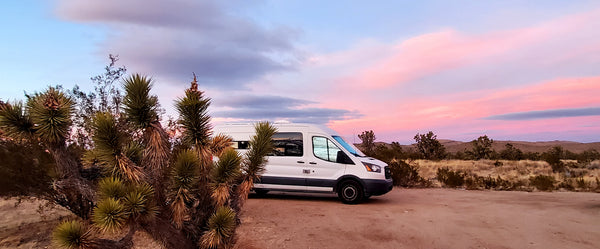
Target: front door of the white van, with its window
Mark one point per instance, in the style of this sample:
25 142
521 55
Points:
324 168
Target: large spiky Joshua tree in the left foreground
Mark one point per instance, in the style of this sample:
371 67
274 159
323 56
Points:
176 194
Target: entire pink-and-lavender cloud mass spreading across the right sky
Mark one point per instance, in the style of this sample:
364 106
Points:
534 81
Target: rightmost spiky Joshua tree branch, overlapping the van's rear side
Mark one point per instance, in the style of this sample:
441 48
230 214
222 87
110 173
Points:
254 165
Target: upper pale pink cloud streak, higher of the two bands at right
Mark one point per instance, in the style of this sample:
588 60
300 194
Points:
448 49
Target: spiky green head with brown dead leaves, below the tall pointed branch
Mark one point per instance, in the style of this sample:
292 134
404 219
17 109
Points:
185 174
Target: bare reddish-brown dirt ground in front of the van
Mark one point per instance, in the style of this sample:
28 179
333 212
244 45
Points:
424 218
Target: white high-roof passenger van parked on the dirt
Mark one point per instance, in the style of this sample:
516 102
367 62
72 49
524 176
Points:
313 158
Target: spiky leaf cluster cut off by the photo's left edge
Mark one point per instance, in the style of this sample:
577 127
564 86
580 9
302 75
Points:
15 121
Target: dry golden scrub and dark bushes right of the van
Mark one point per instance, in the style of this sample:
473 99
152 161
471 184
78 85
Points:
427 163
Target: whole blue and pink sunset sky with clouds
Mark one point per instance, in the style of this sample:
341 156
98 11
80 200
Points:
511 70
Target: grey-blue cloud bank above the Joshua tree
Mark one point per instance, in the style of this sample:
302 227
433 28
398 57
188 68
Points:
172 39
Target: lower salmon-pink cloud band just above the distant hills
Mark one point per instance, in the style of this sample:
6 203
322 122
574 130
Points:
465 112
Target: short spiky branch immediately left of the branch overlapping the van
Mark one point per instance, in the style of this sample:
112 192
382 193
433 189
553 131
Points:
225 172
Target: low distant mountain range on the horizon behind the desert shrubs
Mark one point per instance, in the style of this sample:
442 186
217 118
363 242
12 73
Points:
455 146
